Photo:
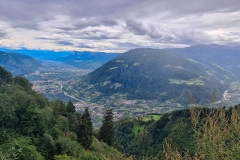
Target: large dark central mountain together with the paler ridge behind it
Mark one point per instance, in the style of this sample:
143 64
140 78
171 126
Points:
169 74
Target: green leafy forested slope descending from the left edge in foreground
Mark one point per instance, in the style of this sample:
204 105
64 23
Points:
32 128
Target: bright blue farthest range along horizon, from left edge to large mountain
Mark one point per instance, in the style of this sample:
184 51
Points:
83 60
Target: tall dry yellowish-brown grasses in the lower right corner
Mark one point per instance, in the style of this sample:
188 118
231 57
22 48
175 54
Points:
216 132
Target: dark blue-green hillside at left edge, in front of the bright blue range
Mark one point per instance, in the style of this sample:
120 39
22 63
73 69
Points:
18 64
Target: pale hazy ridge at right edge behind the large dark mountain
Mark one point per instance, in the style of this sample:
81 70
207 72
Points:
221 61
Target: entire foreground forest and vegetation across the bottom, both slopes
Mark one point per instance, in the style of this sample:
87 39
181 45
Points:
33 128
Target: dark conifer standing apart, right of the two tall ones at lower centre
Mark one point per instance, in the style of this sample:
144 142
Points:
106 130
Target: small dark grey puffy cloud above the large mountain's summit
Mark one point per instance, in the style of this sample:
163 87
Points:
136 27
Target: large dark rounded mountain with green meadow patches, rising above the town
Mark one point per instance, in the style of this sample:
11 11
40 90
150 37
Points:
156 74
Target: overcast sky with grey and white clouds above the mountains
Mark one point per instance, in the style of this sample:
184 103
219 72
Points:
117 25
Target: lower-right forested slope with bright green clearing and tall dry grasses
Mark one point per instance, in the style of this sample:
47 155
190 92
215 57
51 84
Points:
196 133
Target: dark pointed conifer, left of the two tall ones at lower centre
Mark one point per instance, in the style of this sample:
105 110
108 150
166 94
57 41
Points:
85 130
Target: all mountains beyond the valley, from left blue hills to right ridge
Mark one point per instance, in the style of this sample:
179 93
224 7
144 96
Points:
144 73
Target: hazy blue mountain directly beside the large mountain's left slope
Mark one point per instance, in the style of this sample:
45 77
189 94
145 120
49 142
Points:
87 60
